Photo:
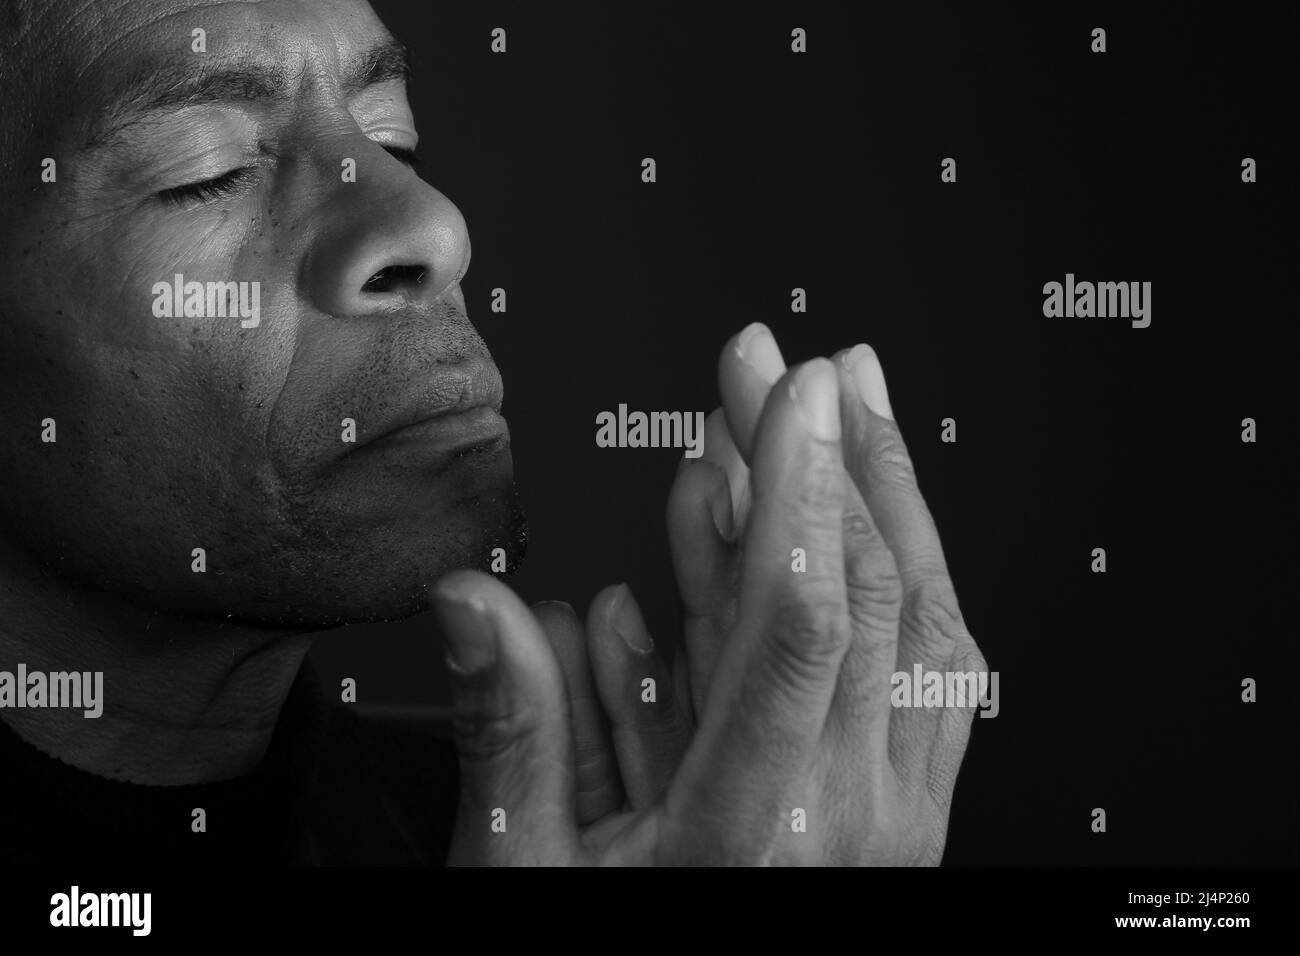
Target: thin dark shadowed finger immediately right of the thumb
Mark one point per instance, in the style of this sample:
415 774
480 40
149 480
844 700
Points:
600 791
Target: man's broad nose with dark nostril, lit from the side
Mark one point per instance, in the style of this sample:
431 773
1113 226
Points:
393 241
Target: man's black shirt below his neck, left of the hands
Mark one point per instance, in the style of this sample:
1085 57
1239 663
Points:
335 789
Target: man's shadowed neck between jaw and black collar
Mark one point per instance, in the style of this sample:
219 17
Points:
184 700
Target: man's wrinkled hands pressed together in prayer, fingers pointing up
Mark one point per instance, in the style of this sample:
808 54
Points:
782 700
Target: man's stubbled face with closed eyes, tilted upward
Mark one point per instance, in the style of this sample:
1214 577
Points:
185 432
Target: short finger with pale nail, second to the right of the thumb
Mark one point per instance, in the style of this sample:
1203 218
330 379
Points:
651 730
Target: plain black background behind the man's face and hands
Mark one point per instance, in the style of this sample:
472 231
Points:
822 171
